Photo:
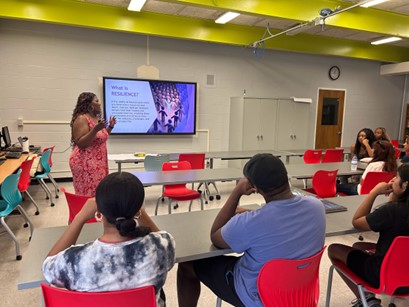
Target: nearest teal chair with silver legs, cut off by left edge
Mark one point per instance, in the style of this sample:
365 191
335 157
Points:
11 200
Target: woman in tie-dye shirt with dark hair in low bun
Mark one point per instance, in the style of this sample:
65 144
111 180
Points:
131 252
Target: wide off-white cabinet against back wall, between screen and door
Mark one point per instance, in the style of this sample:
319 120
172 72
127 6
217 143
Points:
268 123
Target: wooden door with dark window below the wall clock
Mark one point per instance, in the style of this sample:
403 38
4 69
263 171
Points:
329 118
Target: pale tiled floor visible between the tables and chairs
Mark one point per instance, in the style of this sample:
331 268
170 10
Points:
56 216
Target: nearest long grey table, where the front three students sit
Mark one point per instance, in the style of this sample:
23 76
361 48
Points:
191 231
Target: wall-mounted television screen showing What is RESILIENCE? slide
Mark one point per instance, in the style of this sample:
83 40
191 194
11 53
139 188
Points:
150 106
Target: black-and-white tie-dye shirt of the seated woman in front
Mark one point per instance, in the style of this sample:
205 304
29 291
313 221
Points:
98 266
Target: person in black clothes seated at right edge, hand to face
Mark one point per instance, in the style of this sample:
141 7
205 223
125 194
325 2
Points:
390 220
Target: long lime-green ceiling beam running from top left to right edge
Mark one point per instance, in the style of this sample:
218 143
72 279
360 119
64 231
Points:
82 14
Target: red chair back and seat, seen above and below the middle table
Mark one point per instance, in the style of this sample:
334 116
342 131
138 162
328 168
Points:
178 191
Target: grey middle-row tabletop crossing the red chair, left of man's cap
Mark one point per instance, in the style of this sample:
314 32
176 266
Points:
188 176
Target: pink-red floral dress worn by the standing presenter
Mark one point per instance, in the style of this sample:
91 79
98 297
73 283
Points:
89 165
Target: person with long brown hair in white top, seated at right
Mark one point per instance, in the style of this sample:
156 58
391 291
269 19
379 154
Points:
383 161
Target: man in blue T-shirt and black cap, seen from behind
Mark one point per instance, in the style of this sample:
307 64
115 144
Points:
281 228
